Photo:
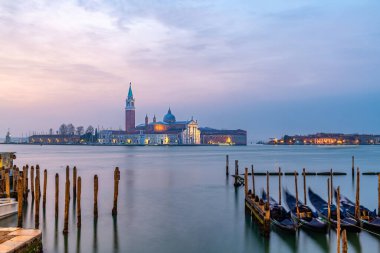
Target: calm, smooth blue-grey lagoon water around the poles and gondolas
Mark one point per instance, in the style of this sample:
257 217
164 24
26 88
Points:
177 199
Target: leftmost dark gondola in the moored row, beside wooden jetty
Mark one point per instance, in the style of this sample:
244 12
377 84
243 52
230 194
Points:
279 216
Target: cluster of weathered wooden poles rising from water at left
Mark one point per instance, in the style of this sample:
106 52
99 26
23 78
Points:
20 186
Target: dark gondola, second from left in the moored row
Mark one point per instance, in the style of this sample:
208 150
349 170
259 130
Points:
307 218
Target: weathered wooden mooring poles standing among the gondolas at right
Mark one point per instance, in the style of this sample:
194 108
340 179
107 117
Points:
244 181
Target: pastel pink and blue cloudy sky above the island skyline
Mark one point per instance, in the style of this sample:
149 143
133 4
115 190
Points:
269 67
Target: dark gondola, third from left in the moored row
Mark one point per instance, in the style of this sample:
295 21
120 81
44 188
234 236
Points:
347 223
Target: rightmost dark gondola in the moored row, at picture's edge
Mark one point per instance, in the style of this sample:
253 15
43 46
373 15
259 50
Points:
368 218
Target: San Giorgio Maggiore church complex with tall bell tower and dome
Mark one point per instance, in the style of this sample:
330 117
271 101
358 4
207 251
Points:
169 131
